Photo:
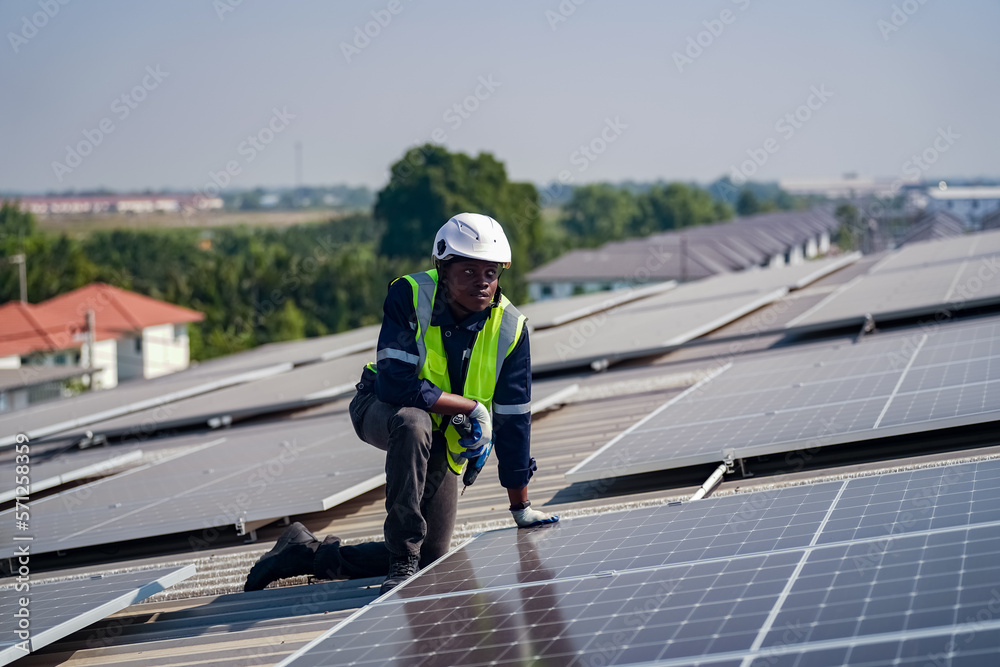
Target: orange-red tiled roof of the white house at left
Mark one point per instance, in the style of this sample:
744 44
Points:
54 324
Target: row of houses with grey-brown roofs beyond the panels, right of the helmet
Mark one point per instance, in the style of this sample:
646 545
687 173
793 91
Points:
766 240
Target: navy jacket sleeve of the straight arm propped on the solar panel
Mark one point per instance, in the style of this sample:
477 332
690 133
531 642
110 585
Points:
512 417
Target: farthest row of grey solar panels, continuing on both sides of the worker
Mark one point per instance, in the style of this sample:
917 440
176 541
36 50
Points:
590 330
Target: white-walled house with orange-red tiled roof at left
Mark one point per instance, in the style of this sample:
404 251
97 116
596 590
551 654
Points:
45 344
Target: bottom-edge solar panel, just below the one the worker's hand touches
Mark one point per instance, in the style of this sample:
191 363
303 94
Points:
678 612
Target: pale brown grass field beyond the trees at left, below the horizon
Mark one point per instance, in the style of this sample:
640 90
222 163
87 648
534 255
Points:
83 224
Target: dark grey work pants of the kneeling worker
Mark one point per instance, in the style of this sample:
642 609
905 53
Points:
421 493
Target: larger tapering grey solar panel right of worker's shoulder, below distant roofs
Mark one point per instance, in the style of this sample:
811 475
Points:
656 324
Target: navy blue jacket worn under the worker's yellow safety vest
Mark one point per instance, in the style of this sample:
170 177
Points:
397 382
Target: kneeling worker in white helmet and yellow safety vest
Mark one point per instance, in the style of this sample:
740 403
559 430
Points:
450 344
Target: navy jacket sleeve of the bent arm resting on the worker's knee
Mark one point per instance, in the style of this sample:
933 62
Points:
396 358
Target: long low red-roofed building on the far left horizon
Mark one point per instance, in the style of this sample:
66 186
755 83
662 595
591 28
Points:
91 204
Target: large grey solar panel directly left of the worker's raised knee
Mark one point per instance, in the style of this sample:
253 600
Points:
241 478
